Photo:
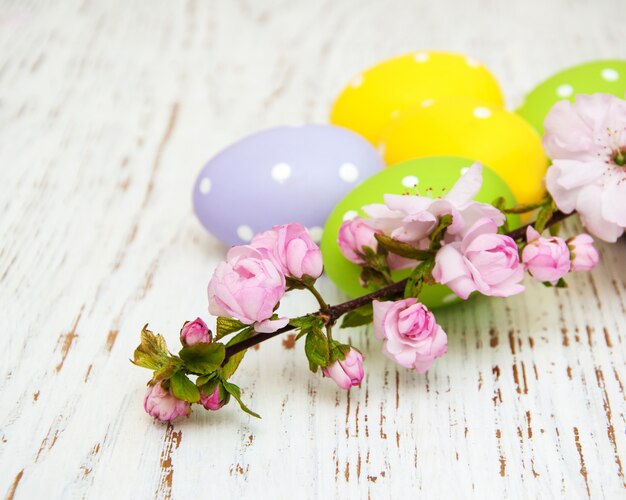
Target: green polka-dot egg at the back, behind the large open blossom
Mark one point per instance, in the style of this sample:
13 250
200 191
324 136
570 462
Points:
608 77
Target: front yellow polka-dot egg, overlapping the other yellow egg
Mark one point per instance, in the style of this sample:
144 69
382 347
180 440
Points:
471 129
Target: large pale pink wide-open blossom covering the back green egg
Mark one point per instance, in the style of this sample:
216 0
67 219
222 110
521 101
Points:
587 143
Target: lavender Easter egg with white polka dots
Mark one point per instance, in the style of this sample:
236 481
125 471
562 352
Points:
281 175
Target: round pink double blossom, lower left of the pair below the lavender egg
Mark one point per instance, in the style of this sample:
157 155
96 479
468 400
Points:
248 286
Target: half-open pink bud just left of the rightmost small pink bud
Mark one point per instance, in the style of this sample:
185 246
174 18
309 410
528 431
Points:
546 259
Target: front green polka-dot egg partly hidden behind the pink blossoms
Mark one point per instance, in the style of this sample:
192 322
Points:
419 176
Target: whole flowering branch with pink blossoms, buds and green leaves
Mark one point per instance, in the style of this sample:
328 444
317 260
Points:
452 240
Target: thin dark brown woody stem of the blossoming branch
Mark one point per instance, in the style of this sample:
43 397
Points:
332 313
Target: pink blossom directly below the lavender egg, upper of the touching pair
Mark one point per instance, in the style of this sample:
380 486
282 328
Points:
293 249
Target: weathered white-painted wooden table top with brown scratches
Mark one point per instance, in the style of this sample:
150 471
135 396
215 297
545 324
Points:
107 112
